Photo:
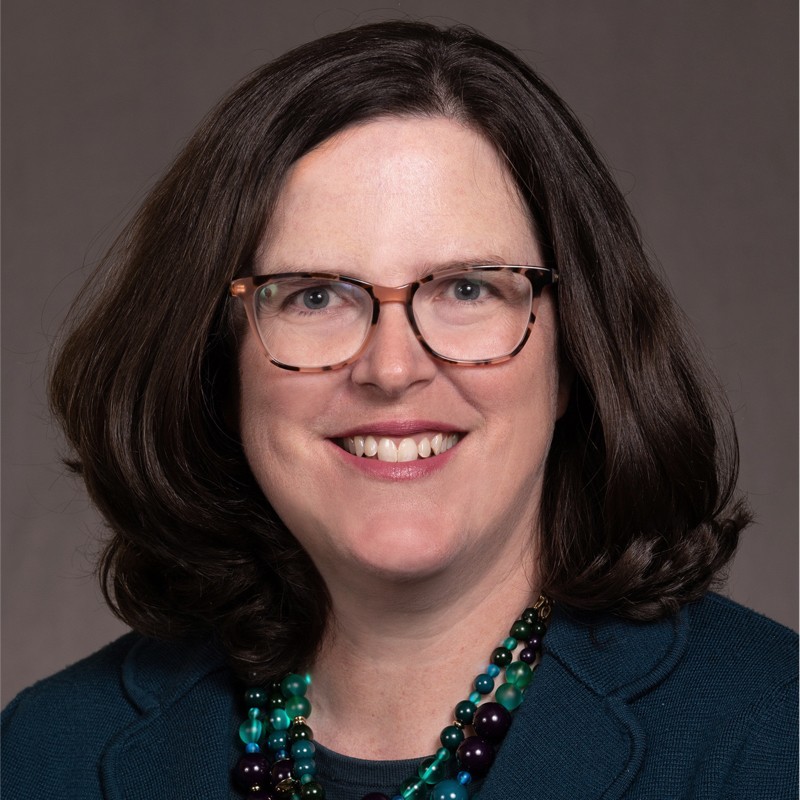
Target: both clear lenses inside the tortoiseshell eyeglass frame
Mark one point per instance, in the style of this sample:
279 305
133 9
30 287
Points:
468 316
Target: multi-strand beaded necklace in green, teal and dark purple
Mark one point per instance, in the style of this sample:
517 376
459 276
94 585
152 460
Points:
278 763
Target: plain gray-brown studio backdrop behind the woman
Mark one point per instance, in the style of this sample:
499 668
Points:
693 103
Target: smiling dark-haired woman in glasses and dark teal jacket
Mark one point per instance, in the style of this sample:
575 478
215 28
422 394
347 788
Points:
379 389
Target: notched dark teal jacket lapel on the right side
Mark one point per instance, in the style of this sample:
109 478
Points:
576 736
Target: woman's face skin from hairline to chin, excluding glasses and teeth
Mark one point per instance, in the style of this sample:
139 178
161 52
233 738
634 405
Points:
389 201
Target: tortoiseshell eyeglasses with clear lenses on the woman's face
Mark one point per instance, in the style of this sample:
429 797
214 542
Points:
318 321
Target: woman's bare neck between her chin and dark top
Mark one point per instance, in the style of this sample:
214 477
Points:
398 656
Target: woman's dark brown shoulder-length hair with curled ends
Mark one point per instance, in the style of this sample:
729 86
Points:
636 516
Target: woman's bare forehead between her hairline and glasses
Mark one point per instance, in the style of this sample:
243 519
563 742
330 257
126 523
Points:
394 198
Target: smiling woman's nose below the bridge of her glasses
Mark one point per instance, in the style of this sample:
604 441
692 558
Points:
394 361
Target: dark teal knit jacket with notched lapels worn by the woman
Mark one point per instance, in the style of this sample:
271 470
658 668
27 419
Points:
702 705
